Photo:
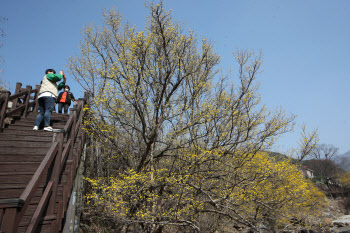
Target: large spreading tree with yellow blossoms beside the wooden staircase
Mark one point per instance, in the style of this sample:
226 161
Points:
178 147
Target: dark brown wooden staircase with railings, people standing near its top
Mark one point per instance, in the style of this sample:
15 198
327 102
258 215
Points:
37 168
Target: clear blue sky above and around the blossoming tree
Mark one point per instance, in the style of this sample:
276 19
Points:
305 45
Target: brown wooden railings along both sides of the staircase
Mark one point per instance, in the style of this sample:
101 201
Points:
61 157
